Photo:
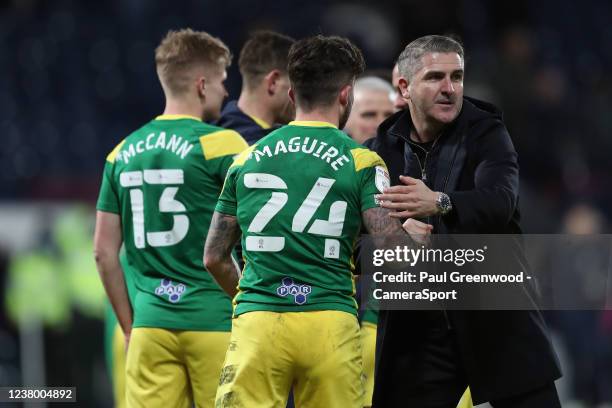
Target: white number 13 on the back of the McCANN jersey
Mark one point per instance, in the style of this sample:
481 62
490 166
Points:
167 204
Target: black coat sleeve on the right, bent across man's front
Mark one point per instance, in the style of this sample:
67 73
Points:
490 205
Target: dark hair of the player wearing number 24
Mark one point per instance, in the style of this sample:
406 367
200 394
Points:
320 66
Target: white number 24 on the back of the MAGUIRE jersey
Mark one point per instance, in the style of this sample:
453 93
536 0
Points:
332 227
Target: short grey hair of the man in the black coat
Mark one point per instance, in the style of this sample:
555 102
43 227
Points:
409 61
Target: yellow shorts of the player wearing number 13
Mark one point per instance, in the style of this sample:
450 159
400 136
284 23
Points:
174 368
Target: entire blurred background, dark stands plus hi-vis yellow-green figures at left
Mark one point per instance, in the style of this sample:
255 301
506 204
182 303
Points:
79 76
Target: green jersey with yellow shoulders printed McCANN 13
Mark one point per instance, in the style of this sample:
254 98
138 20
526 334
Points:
164 180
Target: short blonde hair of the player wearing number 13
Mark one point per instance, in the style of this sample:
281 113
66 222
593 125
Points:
180 51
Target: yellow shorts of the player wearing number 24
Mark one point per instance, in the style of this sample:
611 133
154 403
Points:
318 353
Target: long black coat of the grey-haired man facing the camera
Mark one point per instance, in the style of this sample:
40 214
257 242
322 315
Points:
503 352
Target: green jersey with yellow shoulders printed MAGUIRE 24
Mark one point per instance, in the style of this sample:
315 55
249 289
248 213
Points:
298 195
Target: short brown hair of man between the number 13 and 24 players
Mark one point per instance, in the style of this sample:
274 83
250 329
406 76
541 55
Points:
263 52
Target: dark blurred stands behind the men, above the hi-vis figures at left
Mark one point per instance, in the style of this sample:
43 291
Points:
80 77
